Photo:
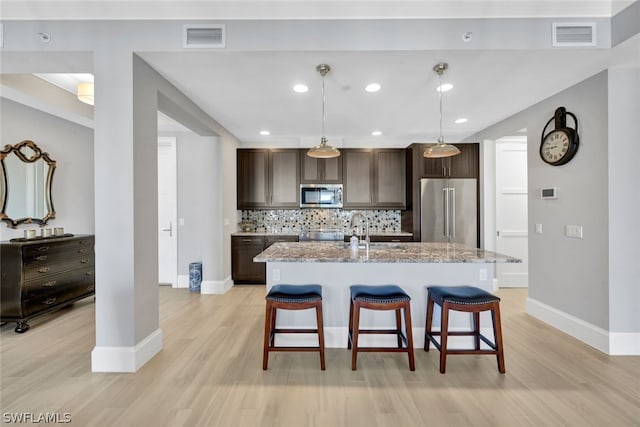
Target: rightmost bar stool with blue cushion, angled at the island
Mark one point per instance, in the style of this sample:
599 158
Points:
469 299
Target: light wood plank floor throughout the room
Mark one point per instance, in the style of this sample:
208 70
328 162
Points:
209 374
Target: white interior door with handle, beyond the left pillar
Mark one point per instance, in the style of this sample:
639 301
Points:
167 213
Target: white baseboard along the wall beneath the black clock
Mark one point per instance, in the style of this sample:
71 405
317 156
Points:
589 334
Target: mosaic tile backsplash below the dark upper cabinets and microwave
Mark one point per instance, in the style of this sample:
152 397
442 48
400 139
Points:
294 220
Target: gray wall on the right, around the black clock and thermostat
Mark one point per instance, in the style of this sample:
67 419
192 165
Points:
590 279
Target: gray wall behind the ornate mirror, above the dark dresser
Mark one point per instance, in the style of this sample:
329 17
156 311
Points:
71 146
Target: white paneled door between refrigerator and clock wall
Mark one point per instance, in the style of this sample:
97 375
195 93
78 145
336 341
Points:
511 212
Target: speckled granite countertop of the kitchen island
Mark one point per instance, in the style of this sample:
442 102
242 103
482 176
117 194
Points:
379 253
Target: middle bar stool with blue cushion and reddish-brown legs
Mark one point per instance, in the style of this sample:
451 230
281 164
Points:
386 297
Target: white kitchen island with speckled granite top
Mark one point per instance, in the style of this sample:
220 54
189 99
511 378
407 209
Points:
412 266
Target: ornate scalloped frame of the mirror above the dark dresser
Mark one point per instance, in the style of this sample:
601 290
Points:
38 154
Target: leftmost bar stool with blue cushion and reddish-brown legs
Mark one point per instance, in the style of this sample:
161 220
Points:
292 297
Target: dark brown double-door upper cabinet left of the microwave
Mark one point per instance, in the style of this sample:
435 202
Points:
268 179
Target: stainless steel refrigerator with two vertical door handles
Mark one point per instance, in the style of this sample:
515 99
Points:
449 210
